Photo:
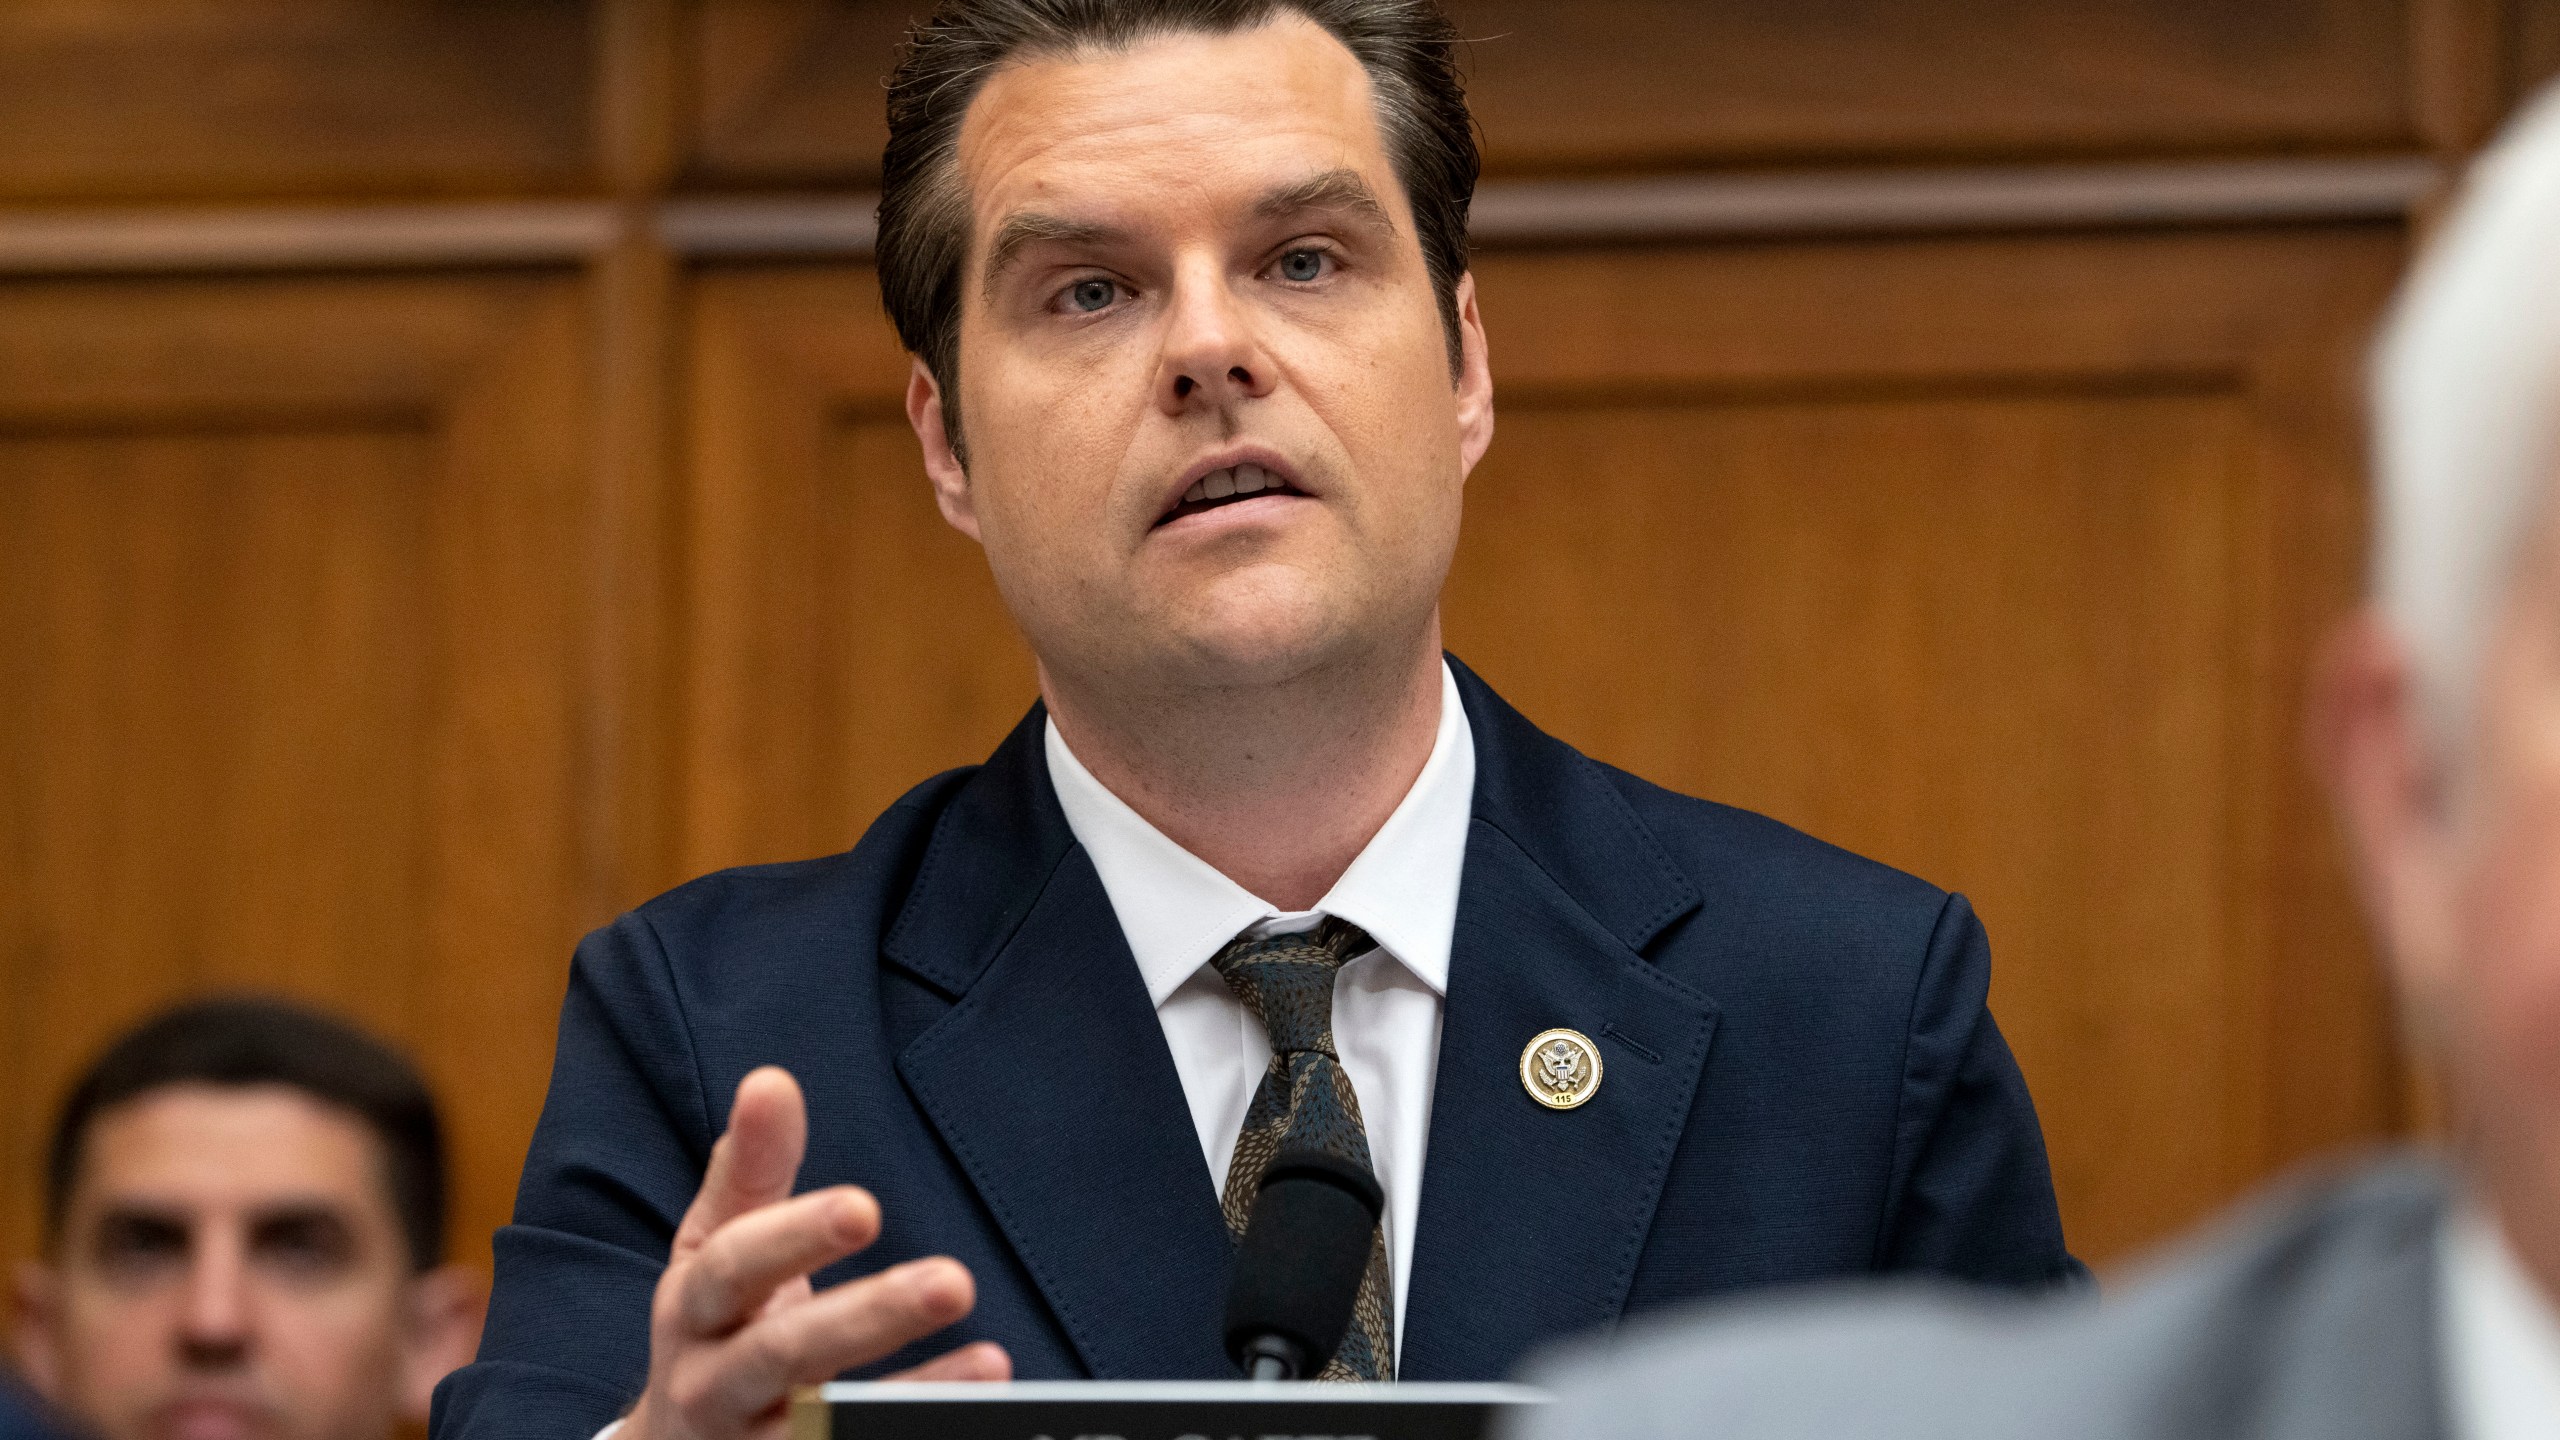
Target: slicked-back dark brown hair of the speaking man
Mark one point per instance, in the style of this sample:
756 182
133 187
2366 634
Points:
1407 47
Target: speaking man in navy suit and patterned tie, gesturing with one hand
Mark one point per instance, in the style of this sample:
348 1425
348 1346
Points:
1199 365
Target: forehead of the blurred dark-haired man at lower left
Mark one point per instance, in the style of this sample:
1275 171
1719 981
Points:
229 1149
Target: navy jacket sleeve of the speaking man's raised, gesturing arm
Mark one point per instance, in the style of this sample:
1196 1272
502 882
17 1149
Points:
613 1167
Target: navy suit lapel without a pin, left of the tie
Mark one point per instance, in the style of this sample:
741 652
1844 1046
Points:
1051 1080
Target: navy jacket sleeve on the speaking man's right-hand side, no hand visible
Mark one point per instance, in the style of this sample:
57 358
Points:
1972 1195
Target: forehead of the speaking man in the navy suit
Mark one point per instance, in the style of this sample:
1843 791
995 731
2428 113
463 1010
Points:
1171 122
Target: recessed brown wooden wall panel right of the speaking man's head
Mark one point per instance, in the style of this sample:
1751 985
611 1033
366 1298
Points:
1980 637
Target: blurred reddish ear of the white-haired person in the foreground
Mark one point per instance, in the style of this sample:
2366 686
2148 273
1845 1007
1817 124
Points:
2390 778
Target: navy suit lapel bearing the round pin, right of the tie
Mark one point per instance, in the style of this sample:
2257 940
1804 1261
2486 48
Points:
1532 1221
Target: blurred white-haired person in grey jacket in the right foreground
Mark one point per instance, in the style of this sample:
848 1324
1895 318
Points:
2408 1298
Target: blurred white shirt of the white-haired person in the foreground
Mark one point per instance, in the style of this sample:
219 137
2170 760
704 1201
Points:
2500 1336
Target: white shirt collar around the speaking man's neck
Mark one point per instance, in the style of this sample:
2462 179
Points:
1179 911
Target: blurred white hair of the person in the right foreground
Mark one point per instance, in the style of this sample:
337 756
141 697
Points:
2467 414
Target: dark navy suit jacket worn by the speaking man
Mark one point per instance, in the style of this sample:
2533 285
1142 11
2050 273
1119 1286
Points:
1801 1083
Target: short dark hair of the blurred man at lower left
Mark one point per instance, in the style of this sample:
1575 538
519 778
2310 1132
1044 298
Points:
247 1042
